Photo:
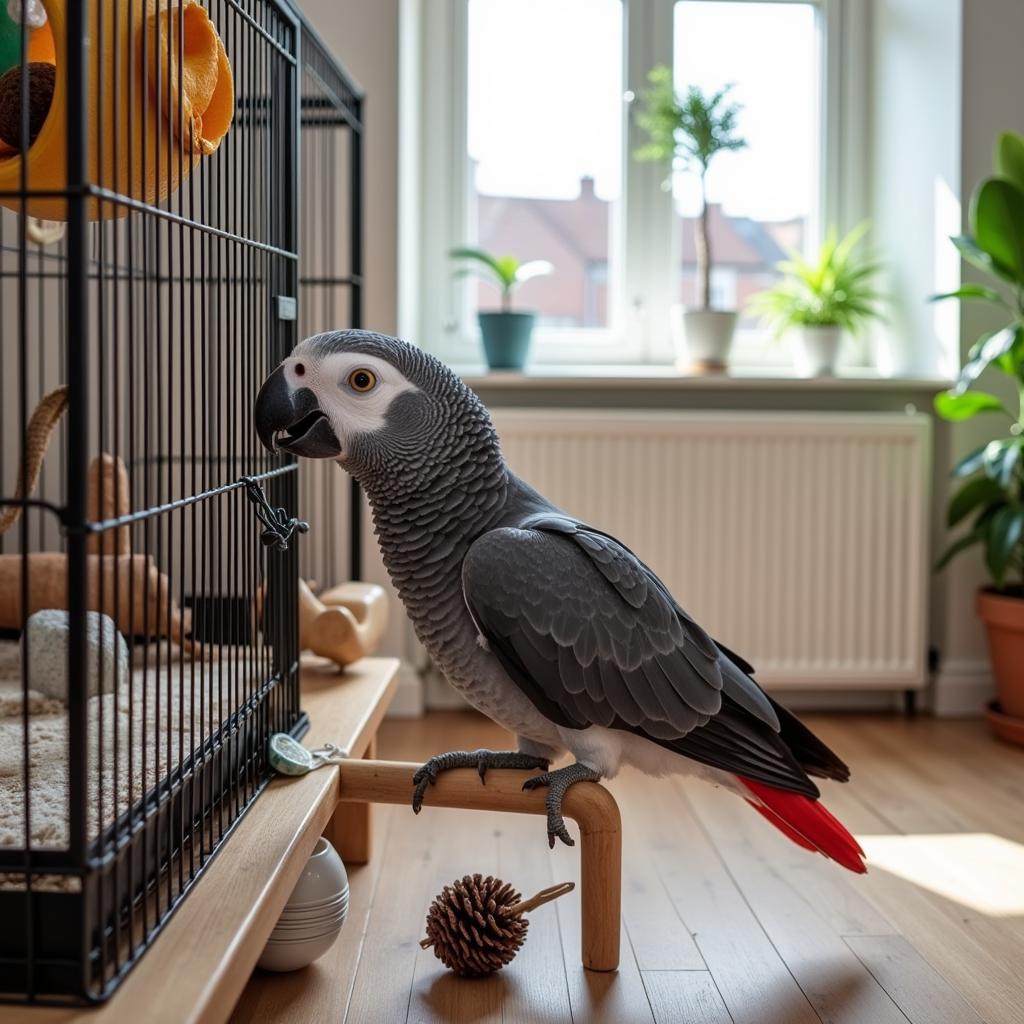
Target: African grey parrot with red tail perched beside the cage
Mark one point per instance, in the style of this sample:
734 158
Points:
551 627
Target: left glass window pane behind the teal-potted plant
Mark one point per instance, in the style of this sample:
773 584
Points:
545 143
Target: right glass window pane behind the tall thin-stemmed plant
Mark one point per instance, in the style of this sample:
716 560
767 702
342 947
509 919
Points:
762 199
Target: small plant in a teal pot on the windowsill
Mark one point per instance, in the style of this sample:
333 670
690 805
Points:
506 334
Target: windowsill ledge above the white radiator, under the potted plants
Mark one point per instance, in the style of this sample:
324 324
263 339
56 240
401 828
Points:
637 378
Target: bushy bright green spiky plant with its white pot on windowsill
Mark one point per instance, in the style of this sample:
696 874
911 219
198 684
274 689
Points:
819 302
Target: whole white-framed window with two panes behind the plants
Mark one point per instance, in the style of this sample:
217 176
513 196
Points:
528 142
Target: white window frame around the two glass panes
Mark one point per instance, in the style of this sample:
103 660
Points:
642 268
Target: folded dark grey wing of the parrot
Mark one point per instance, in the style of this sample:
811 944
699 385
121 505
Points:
593 635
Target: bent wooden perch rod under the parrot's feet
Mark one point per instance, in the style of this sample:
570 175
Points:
589 804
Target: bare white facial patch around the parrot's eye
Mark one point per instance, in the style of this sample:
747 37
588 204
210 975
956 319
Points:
331 379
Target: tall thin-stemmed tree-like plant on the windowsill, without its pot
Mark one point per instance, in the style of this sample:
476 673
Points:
690 131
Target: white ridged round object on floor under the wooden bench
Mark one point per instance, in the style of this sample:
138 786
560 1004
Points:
313 916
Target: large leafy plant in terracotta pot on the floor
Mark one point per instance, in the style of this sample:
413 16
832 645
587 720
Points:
992 497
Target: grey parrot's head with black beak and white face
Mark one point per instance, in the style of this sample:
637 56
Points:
382 408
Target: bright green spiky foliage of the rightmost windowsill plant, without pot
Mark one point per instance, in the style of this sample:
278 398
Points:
836 289
